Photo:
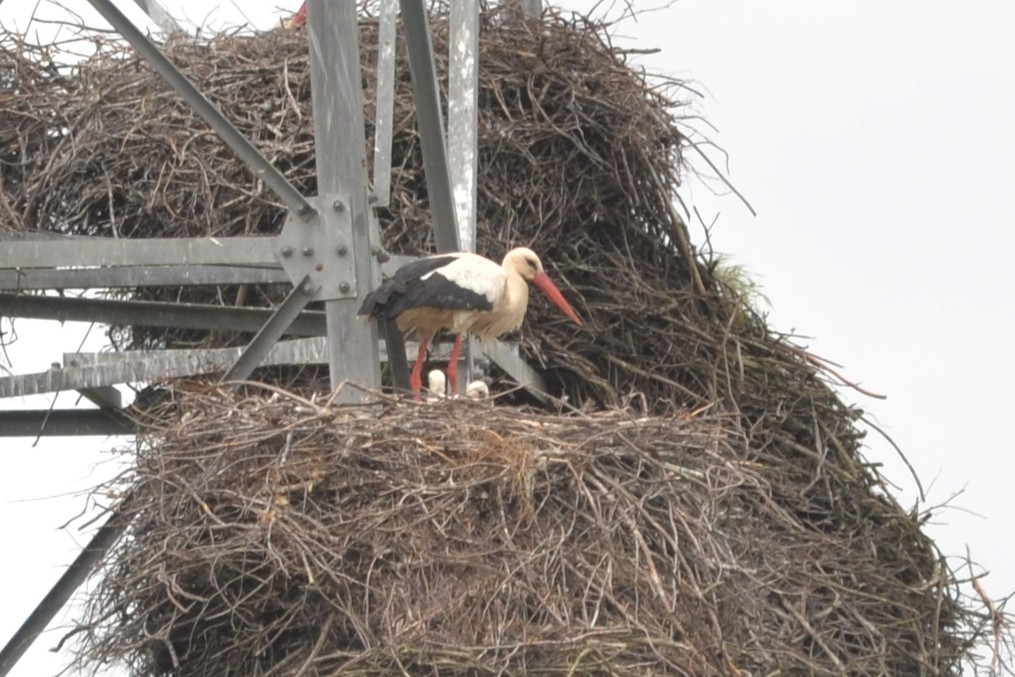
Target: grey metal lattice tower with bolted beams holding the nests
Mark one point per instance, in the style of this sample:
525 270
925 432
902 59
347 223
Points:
329 248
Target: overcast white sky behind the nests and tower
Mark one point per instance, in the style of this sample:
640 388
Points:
875 141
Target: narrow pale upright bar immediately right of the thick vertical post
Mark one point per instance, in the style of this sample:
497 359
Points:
385 113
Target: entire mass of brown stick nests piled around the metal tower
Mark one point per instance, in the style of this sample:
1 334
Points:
278 537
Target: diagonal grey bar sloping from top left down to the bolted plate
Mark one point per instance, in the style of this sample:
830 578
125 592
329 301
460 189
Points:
245 151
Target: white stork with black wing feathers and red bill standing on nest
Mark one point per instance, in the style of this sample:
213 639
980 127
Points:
461 293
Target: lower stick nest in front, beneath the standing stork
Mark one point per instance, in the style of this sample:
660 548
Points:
278 536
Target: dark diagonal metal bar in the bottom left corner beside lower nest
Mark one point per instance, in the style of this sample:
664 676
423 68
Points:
76 575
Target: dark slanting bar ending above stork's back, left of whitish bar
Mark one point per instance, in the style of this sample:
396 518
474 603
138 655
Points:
431 122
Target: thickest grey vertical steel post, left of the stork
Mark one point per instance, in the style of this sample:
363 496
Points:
336 88
